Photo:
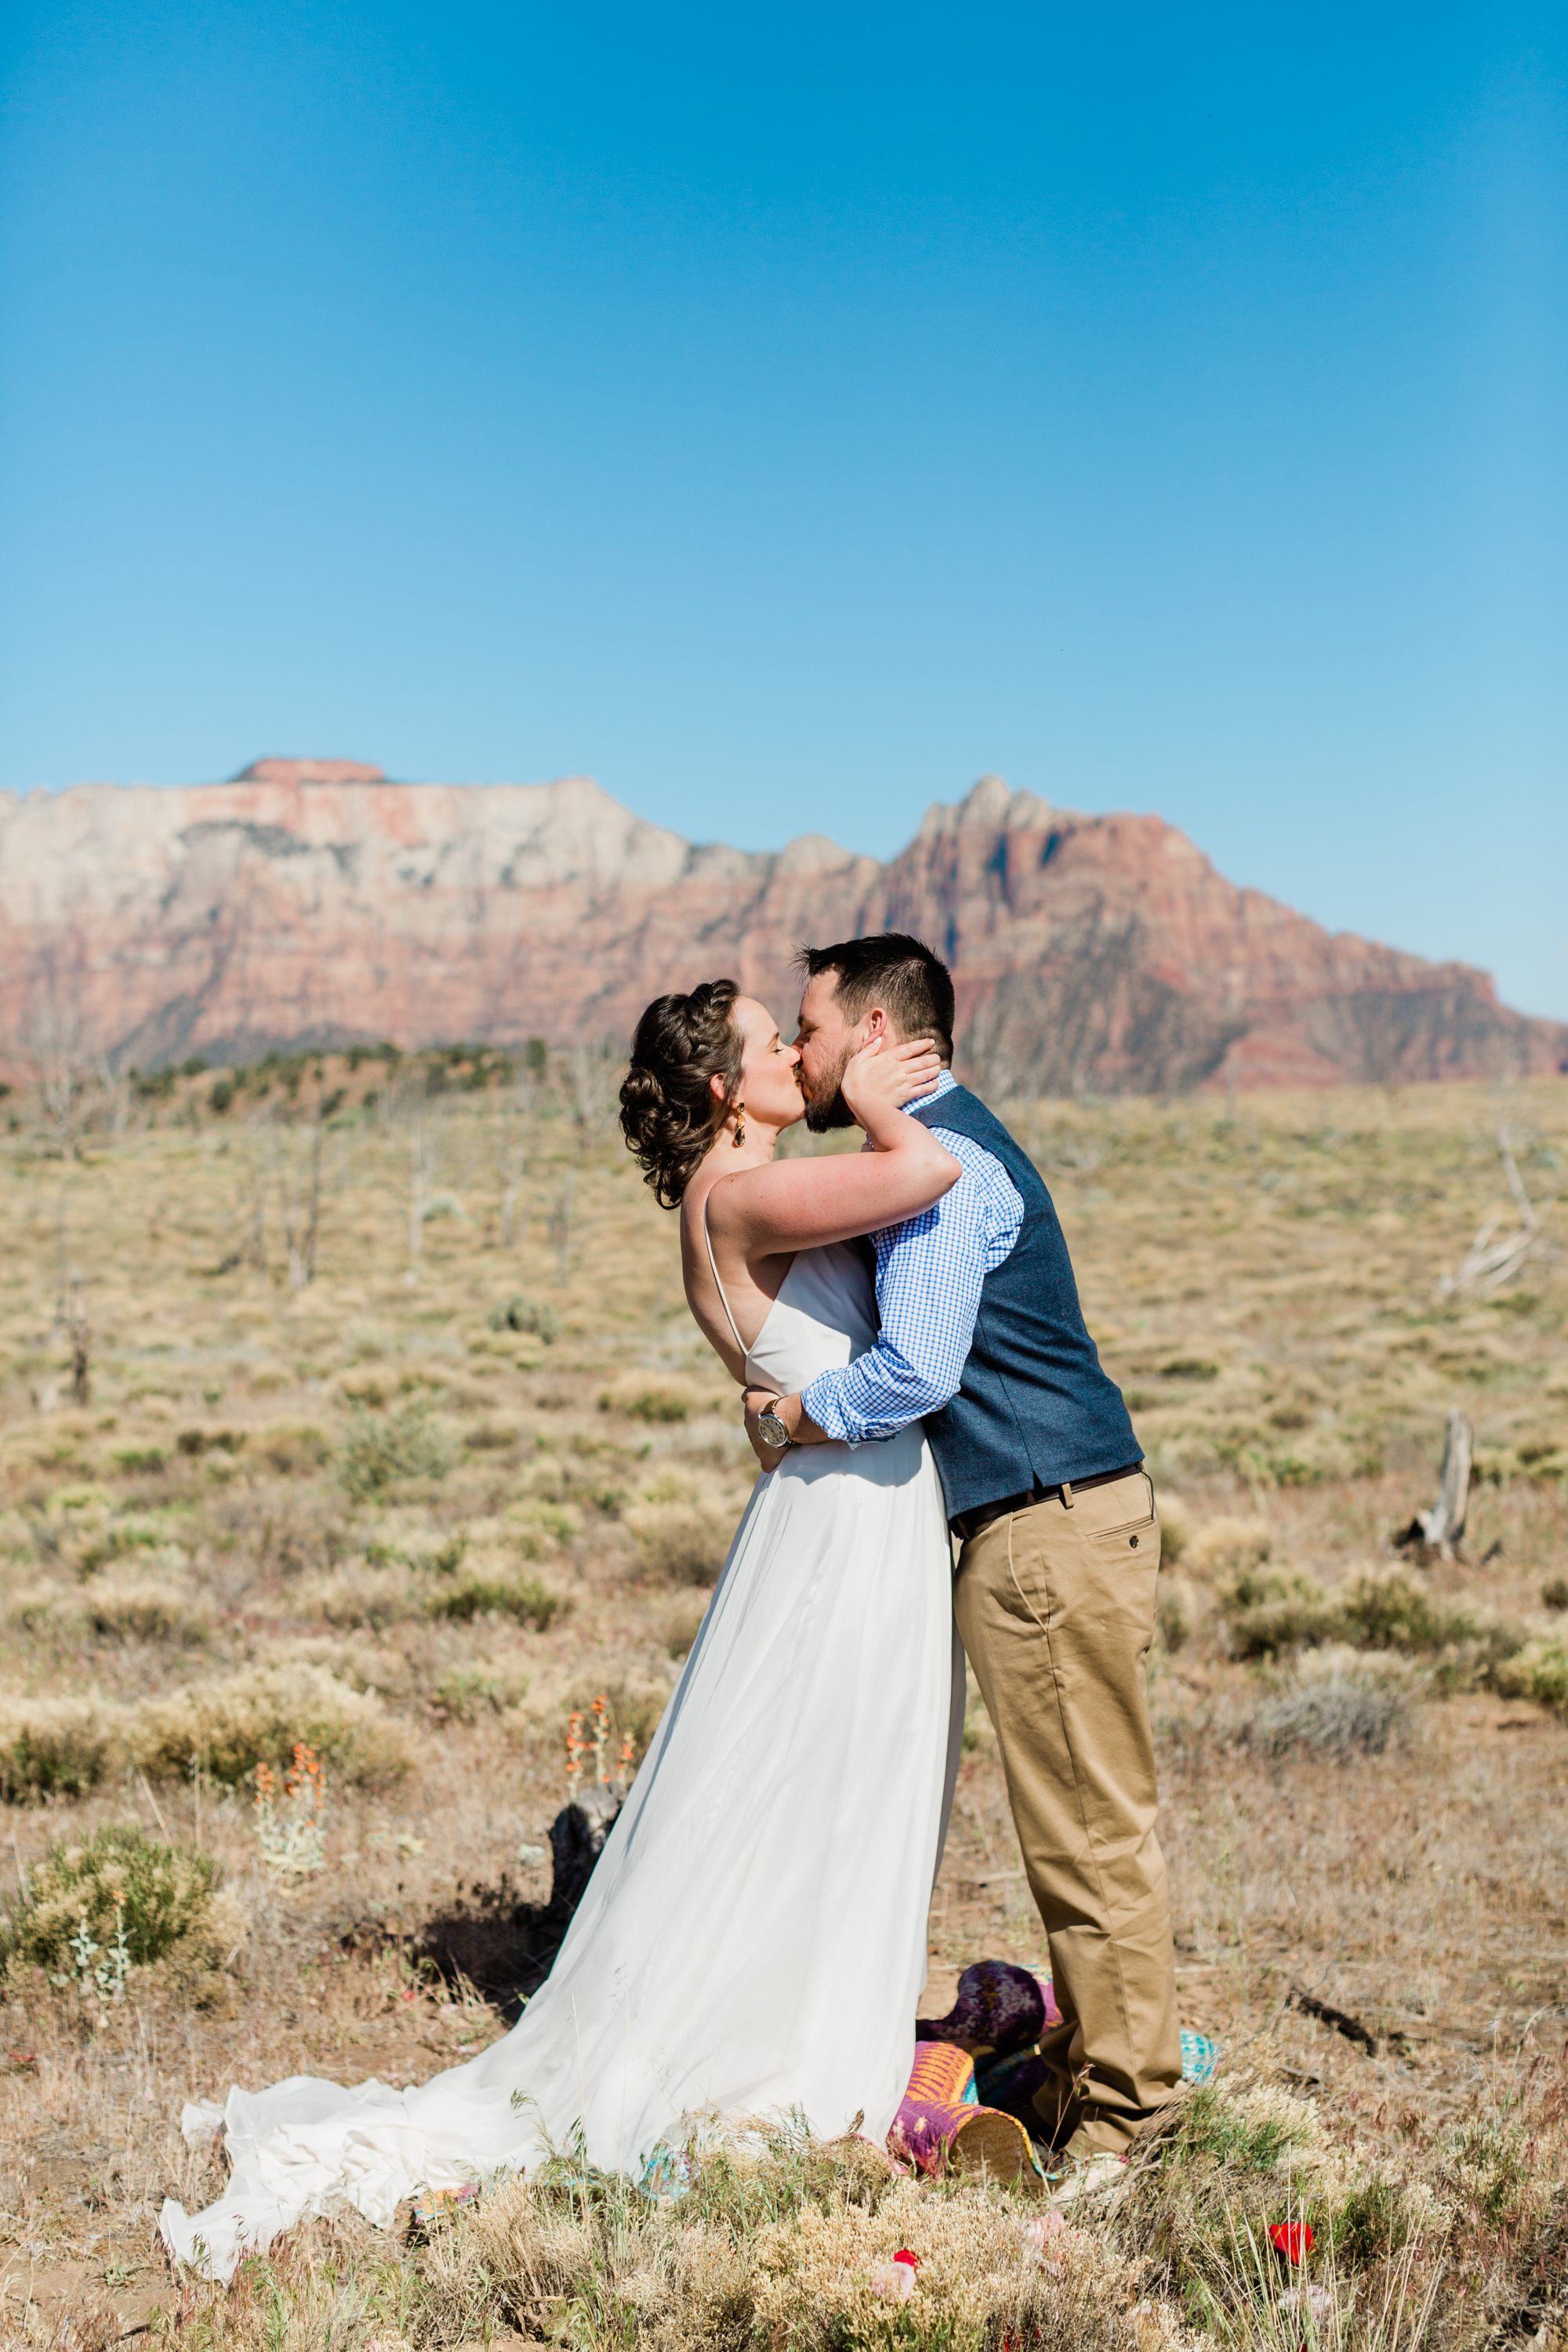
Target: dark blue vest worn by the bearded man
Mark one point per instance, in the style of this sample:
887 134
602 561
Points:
1036 1403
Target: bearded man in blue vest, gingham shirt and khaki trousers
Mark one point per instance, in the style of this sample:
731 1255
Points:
1059 1542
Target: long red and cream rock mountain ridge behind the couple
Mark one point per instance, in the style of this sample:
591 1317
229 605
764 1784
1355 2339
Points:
316 902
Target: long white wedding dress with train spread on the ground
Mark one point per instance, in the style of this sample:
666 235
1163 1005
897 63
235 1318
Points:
753 1939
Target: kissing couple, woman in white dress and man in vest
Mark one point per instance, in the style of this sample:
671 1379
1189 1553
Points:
920 1391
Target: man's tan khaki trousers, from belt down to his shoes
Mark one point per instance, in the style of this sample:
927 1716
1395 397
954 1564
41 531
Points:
1057 1610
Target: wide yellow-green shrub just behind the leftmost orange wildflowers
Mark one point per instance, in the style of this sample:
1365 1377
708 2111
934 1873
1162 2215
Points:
255 1718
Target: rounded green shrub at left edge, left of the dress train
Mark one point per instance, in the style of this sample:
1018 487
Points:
166 1892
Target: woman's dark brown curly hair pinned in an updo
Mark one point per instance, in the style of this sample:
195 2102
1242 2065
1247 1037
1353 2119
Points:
669 1111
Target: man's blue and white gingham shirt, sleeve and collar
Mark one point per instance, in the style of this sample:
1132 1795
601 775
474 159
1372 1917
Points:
930 1276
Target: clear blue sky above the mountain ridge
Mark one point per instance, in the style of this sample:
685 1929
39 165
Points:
786 415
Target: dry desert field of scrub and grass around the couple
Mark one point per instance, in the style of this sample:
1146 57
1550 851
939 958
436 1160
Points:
354 1405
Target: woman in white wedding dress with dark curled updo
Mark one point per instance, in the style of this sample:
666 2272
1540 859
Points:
753 1939
